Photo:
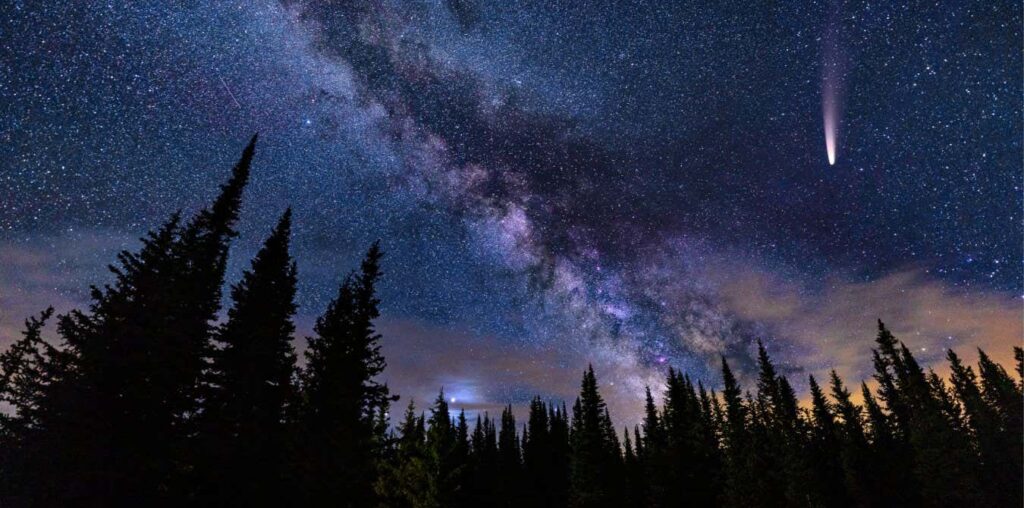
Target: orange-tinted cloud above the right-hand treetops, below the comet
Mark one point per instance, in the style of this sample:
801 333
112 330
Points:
833 325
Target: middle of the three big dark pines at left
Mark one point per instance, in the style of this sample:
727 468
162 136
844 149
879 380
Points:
246 421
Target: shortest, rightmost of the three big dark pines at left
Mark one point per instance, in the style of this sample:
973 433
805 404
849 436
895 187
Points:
342 395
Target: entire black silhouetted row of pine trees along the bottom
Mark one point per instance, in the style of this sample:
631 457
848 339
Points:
147 400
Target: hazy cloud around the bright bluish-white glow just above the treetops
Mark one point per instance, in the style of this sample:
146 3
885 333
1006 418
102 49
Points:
484 373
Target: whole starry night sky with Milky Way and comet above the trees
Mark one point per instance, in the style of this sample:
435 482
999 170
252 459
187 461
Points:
632 185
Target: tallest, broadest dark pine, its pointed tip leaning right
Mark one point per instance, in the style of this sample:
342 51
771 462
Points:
121 424
